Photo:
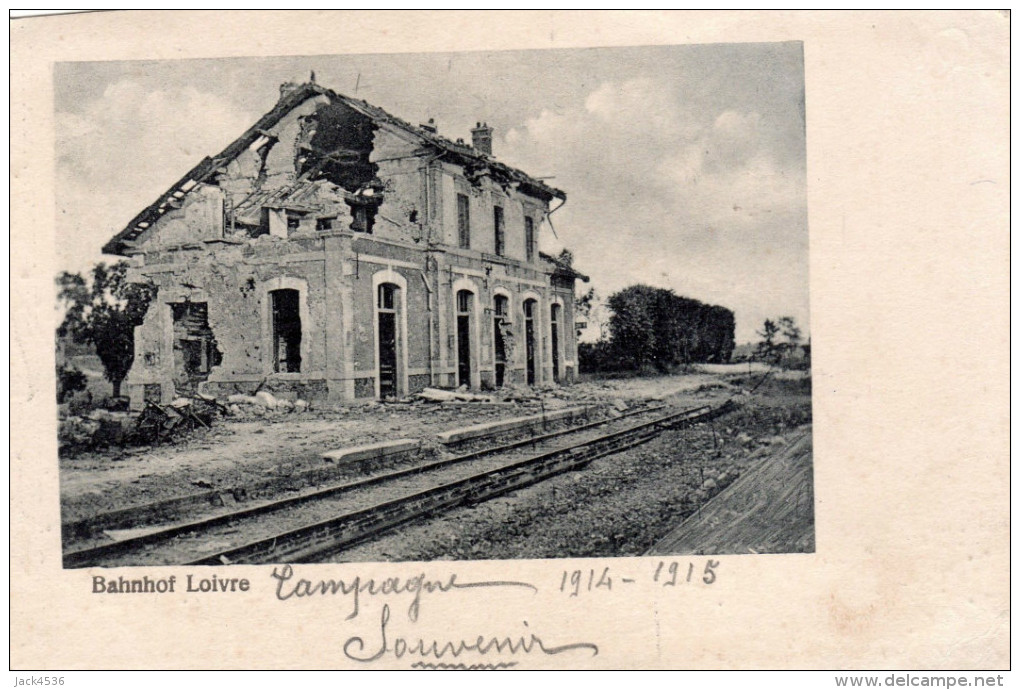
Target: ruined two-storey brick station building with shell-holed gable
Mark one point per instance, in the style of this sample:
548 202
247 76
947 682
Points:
336 253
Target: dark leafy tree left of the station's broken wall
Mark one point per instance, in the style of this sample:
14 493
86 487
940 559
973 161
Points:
106 315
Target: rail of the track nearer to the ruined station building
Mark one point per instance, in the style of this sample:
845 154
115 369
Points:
112 552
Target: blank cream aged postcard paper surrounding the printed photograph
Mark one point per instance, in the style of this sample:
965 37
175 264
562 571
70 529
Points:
908 194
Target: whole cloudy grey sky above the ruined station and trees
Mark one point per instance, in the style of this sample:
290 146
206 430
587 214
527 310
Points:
684 167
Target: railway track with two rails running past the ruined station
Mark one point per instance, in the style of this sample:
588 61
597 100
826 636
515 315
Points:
313 526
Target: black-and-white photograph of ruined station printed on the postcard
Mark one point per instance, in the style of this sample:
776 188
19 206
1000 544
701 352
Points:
524 305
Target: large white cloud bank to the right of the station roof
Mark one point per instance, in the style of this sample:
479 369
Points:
665 194
